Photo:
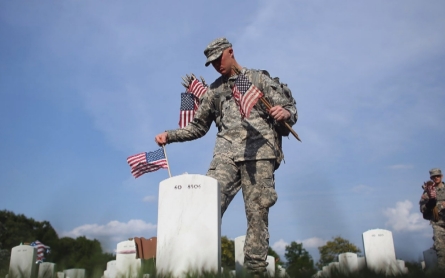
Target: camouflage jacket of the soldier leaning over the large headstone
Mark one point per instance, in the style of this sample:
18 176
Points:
238 138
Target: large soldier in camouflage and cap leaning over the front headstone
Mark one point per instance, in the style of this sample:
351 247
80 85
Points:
246 150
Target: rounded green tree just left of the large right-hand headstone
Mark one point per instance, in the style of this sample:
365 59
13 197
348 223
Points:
330 251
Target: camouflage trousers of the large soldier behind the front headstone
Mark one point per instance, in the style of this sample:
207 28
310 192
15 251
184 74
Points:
256 180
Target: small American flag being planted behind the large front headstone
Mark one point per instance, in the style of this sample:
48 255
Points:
147 162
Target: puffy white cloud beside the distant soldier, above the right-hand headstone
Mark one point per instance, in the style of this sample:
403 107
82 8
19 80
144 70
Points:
401 218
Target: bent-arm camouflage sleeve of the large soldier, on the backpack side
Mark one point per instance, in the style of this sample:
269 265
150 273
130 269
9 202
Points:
275 95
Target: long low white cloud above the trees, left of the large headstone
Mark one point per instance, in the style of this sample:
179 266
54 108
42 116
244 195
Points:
113 232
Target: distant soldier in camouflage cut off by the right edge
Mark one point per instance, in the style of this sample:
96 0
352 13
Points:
432 206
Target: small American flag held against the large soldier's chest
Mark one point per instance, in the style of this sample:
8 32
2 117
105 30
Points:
246 95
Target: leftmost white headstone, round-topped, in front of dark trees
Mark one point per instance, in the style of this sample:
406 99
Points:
23 262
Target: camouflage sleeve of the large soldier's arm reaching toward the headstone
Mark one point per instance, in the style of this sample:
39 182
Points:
200 124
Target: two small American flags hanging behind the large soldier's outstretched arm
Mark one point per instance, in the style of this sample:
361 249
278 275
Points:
190 102
